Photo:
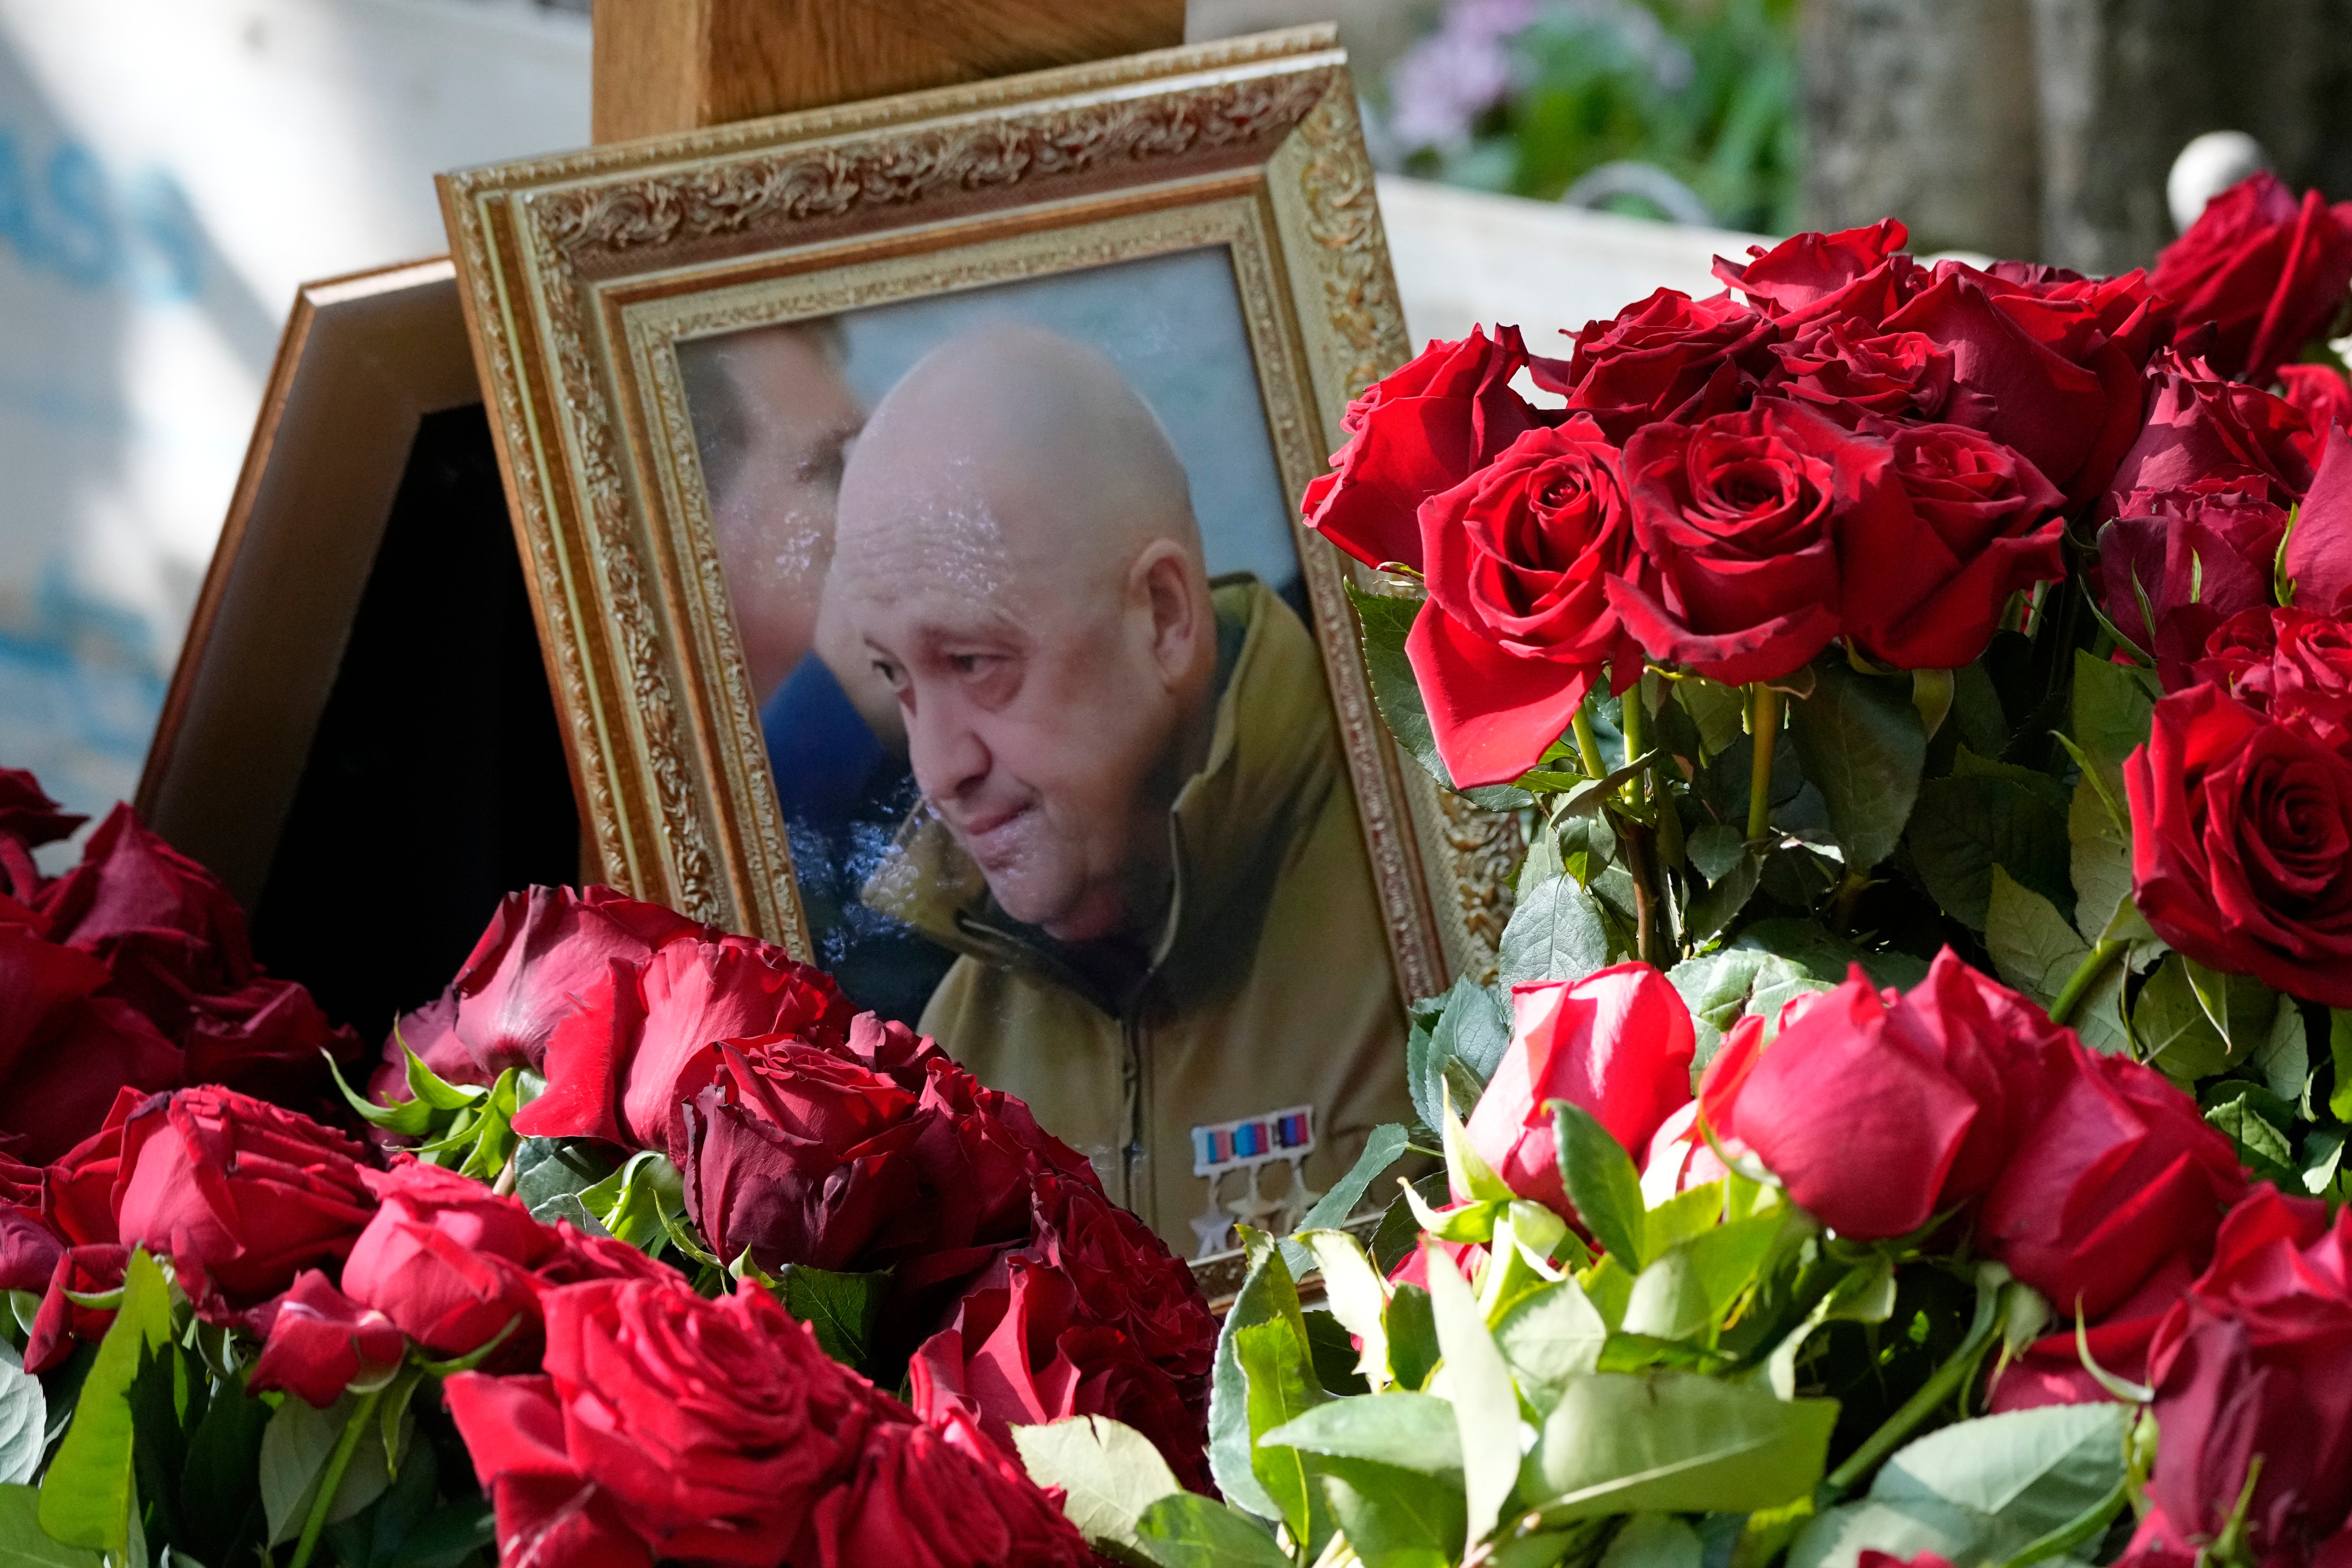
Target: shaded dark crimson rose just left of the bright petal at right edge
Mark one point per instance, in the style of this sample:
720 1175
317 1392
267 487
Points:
2196 556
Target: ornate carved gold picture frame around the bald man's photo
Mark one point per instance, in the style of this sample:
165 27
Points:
592 279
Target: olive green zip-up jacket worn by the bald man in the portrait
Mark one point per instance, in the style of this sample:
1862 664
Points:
1269 984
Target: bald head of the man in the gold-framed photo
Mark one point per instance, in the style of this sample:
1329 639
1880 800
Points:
1020 558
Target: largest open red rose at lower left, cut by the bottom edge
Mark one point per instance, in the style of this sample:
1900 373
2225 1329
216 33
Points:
667 1426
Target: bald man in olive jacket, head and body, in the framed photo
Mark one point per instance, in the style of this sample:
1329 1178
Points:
1135 824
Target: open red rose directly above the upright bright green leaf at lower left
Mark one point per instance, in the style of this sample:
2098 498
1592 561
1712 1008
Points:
236 1193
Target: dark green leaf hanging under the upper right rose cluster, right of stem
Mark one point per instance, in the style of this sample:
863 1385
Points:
1862 744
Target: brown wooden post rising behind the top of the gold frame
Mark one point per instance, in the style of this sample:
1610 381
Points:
681 65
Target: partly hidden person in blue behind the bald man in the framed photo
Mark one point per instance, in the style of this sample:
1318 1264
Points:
773 422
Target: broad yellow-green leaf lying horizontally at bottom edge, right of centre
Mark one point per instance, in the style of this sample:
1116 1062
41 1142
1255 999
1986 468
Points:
1676 1442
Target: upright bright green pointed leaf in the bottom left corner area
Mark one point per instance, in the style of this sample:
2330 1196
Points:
86 1501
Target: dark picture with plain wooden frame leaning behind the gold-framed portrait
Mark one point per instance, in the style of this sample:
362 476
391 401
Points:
312 739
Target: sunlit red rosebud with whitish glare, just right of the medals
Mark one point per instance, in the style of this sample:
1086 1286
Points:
1617 1043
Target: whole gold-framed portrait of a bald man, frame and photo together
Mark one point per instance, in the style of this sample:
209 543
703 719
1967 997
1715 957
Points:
909 495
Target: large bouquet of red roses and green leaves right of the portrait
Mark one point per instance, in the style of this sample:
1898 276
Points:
1906 1120
